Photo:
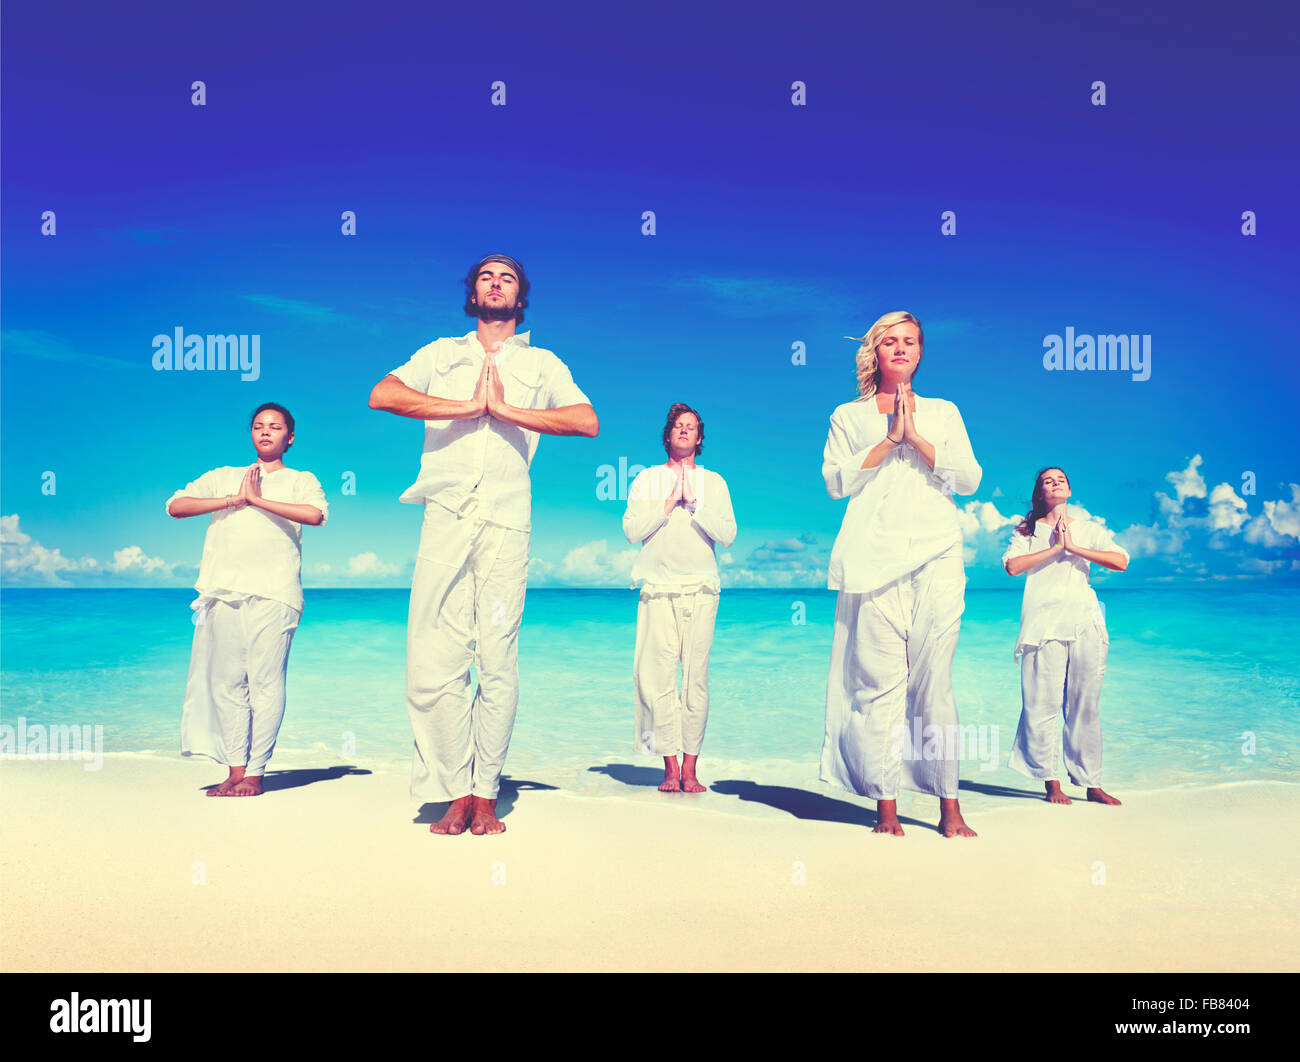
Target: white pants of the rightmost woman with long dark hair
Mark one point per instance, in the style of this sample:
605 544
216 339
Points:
1063 678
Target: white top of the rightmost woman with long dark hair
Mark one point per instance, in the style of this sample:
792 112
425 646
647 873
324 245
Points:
1059 600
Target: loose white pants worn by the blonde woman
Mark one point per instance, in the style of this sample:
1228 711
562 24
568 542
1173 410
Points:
891 718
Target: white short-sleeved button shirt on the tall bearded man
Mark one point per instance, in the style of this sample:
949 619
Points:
484 462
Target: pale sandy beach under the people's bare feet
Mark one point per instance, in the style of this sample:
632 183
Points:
132 869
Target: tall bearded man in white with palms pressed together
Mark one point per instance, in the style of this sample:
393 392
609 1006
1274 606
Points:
484 398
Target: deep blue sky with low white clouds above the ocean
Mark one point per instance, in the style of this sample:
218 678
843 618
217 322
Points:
775 226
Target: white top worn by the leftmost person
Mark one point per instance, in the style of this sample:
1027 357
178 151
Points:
250 552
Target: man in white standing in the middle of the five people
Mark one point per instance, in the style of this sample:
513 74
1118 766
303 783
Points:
678 512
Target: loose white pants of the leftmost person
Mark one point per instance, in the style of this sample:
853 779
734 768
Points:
235 696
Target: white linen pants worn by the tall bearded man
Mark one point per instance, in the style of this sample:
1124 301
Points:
467 602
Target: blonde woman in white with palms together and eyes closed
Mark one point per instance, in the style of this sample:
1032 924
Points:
891 719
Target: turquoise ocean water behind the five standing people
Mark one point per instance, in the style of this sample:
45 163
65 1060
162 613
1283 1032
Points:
1202 686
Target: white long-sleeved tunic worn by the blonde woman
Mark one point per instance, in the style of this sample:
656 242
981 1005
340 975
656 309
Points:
900 513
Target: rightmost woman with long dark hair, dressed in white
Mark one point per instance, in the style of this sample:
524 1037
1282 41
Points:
1063 645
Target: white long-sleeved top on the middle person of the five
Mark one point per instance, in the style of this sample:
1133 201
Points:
678 548
